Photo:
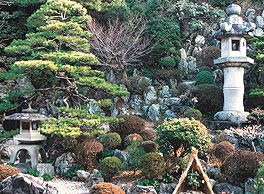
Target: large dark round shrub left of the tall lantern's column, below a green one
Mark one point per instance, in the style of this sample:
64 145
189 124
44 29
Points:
210 98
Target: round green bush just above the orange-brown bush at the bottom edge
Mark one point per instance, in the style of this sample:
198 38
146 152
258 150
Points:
110 167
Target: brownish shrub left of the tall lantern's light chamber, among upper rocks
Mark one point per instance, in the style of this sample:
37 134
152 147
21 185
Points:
207 56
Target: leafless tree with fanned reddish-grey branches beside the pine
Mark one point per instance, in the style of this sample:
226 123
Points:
120 44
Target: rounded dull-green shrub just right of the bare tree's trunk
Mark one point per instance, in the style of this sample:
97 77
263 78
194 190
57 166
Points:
137 84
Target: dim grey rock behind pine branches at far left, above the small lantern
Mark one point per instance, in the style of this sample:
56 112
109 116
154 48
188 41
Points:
24 84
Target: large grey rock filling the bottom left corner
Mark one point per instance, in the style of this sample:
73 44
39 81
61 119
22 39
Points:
25 184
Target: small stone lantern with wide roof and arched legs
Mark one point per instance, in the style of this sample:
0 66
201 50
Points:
29 137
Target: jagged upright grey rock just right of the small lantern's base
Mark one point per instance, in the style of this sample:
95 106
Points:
63 163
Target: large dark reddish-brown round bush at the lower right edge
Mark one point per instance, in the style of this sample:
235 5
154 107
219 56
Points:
242 164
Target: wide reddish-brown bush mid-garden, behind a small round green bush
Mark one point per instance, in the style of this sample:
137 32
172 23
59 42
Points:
131 124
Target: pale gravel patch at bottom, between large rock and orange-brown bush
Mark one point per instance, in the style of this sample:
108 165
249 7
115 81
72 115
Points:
69 187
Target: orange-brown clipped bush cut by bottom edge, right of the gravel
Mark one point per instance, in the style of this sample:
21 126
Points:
106 188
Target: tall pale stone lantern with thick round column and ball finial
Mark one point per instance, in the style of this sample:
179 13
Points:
233 34
